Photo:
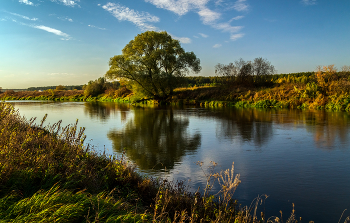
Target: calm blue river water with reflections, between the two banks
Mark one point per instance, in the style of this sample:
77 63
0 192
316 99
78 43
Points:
293 156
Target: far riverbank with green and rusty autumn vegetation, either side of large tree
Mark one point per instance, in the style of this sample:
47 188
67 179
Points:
298 91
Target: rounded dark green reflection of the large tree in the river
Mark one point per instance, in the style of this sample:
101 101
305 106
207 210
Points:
155 139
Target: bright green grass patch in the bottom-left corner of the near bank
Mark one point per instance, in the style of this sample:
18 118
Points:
55 205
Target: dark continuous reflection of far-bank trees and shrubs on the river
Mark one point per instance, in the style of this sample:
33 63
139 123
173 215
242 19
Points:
158 138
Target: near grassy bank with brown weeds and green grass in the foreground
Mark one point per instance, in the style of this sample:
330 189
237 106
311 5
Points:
48 175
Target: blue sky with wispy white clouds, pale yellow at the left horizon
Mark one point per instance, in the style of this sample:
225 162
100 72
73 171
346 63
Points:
70 42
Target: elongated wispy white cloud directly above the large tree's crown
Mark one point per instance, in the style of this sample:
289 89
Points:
123 13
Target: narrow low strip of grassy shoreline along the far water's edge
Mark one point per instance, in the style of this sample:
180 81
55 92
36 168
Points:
336 104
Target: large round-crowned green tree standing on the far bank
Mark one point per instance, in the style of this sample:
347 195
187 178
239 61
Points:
154 63
